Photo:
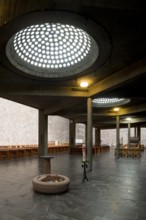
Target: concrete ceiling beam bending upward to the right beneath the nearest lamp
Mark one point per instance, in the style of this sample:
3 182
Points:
113 81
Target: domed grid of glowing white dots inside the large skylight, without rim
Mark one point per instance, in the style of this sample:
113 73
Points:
52 45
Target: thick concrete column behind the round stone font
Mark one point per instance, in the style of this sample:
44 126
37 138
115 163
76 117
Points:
43 134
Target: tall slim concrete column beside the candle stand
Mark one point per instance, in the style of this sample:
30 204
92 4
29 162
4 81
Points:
89 133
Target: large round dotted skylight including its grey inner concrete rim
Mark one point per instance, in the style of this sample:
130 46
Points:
52 50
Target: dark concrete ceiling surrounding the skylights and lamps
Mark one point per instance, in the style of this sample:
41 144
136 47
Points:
123 74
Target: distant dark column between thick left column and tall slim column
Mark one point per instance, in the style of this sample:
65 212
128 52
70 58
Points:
72 134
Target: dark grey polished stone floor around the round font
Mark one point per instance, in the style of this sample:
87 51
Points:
116 189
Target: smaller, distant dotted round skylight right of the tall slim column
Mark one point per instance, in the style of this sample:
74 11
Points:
109 102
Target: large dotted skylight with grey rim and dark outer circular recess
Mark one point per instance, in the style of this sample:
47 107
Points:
56 45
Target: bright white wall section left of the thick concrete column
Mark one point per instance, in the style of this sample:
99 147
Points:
18 123
